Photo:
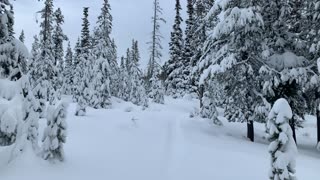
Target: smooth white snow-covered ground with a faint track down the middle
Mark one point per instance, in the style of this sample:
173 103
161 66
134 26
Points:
160 143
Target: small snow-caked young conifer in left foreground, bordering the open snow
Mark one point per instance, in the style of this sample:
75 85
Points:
55 133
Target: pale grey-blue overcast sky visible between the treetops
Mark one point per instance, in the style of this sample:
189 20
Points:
132 19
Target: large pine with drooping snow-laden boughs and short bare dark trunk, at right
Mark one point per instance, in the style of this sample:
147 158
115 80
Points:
233 51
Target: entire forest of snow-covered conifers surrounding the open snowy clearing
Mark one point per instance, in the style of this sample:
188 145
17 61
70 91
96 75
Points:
257 60
